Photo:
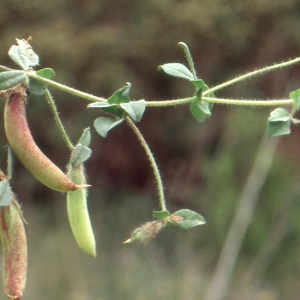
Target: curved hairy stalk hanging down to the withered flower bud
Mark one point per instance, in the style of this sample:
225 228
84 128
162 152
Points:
153 163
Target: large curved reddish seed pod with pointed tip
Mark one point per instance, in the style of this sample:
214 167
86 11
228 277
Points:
22 143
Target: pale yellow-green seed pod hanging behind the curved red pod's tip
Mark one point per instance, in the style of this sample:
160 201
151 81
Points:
78 213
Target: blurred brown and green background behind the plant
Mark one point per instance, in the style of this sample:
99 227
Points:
97 46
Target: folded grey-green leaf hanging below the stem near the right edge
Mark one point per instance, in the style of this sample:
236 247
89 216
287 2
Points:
279 122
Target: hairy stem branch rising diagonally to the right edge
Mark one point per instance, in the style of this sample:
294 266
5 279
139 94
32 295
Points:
252 74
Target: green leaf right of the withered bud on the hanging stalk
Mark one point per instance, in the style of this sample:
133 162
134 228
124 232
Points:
187 219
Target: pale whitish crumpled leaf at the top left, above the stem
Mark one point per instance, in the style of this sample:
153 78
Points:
23 55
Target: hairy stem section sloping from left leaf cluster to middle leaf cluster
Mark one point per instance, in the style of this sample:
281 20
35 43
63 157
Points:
65 88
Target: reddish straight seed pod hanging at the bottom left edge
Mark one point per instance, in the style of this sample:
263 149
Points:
14 250
